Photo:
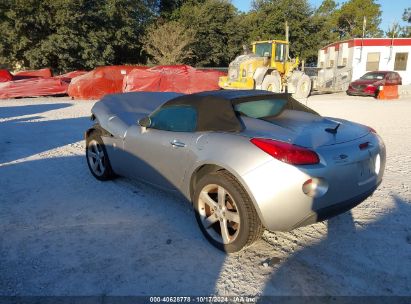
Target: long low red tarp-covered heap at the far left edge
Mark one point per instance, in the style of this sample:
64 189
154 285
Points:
33 87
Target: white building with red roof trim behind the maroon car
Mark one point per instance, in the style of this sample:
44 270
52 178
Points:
341 62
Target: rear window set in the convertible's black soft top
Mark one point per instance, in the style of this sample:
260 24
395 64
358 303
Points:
265 108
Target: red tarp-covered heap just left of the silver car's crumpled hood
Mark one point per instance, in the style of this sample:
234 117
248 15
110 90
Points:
100 81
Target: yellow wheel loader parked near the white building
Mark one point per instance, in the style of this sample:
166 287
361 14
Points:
267 67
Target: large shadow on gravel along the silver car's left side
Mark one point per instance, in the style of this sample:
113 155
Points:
69 234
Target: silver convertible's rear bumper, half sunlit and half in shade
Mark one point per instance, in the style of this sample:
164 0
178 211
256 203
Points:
277 193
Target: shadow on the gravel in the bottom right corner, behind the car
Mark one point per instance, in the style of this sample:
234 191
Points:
373 259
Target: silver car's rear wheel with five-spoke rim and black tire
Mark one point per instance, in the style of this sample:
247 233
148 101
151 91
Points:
225 212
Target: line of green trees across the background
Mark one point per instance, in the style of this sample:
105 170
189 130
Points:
83 34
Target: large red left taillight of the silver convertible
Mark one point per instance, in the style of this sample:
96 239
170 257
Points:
286 152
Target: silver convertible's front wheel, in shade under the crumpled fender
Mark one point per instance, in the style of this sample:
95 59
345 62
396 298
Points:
97 158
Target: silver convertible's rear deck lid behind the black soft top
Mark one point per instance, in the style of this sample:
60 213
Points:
305 129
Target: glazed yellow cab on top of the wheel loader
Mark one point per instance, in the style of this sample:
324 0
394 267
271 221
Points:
274 50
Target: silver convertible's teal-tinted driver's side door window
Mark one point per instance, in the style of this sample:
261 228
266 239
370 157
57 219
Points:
178 118
